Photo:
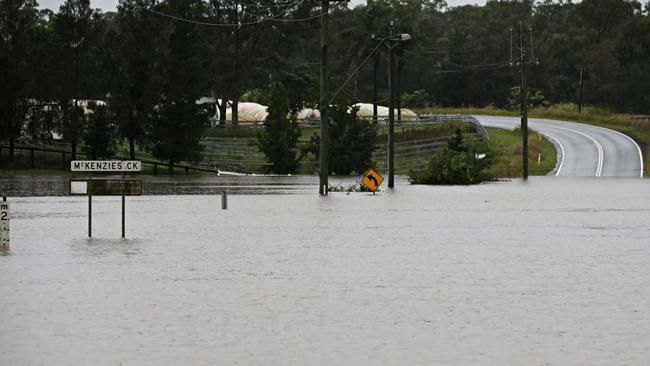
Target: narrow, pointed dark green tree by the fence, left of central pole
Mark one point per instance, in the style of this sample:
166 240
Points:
279 139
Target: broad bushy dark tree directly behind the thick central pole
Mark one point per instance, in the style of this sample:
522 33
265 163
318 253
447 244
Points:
352 141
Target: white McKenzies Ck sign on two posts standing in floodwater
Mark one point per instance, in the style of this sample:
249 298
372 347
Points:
105 187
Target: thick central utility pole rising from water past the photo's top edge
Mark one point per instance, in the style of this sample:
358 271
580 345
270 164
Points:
324 102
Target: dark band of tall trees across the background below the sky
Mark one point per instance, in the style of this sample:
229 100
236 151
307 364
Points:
151 60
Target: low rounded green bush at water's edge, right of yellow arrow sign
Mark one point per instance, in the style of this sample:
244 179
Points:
460 162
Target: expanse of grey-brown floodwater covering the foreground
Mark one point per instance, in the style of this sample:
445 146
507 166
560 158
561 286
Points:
554 271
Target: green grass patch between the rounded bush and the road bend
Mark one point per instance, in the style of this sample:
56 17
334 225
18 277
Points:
508 147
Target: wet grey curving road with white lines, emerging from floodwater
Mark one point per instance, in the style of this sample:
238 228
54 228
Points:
583 150
